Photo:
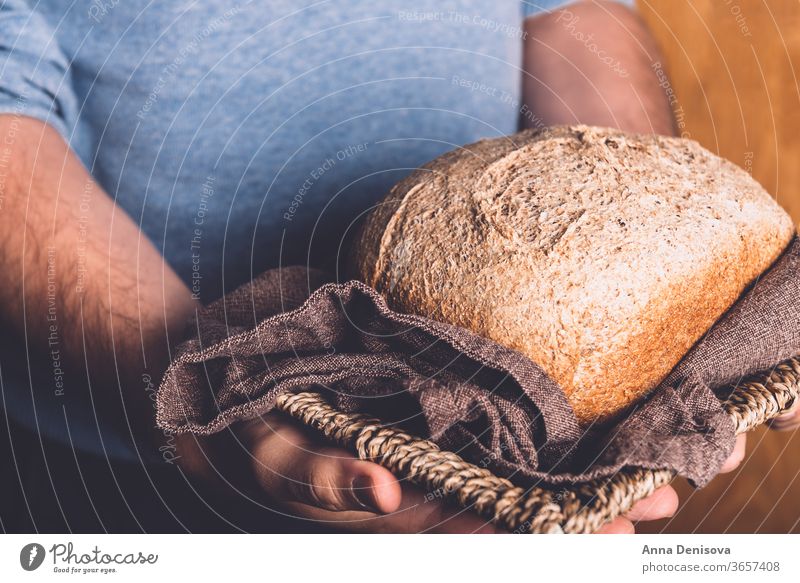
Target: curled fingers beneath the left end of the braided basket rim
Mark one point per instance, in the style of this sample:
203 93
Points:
291 467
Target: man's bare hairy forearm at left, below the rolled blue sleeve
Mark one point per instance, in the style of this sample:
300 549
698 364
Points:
80 277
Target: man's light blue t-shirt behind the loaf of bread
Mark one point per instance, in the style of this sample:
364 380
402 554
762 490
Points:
240 136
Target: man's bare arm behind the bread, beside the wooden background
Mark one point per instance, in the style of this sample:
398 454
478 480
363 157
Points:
593 63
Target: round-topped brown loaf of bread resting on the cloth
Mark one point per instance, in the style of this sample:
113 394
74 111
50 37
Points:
602 256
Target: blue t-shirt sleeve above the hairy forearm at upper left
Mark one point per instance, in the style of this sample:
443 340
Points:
34 72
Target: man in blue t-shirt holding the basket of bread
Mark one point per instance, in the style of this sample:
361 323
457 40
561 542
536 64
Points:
156 156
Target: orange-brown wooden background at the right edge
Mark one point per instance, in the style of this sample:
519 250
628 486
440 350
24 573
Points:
734 66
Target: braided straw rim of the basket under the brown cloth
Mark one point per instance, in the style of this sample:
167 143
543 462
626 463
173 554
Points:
584 508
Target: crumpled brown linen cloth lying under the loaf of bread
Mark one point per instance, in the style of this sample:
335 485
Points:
289 330
